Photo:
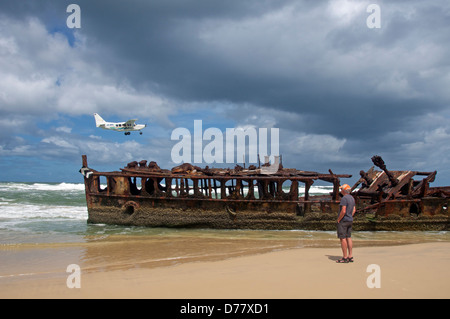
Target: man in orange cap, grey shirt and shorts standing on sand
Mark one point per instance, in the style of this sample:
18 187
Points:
345 220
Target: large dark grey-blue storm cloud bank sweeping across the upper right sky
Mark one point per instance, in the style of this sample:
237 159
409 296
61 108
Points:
159 44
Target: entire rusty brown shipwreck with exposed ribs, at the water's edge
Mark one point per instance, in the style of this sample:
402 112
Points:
143 194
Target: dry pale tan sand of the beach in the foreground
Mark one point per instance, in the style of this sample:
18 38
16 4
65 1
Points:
405 271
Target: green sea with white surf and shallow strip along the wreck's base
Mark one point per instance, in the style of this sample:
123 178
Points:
56 212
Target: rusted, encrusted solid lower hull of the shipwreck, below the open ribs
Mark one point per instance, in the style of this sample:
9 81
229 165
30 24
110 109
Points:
270 215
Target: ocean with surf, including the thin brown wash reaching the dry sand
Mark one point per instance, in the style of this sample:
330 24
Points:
47 216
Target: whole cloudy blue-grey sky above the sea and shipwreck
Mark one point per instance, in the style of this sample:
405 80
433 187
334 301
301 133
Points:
338 91
